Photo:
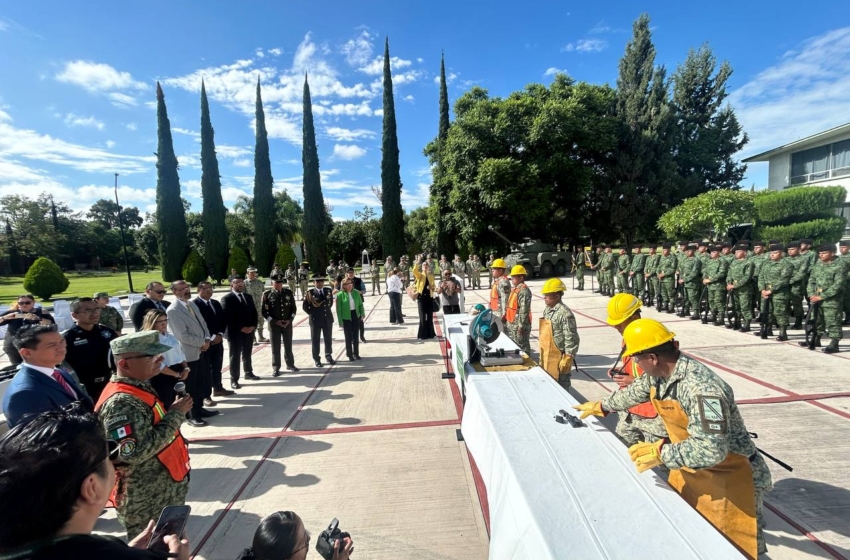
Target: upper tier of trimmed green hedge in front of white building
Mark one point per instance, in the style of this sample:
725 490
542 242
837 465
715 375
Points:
798 204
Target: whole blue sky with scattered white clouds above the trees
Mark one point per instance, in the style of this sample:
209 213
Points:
77 97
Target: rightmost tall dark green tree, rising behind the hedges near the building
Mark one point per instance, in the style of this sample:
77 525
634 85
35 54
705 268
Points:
707 134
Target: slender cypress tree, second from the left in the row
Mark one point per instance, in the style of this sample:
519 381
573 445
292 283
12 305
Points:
216 241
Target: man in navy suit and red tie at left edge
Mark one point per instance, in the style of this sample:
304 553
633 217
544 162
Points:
40 386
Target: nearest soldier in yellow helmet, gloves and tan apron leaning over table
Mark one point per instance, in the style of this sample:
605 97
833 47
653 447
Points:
713 461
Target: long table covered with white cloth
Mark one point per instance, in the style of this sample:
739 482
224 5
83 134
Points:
558 492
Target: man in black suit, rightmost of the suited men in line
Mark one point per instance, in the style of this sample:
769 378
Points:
241 318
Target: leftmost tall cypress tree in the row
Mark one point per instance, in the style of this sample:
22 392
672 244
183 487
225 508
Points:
170 214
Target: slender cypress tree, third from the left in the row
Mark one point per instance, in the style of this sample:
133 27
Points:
264 207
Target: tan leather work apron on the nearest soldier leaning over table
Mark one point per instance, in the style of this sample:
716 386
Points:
724 494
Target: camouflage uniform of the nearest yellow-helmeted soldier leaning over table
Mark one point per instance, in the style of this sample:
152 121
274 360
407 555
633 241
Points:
706 447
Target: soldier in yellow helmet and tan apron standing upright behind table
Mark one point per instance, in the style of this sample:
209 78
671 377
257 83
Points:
559 338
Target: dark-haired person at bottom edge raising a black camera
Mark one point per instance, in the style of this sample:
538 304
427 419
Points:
282 536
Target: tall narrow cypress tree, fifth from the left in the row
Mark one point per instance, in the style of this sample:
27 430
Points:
392 219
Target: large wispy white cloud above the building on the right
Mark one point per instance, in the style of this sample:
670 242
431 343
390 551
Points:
805 92
